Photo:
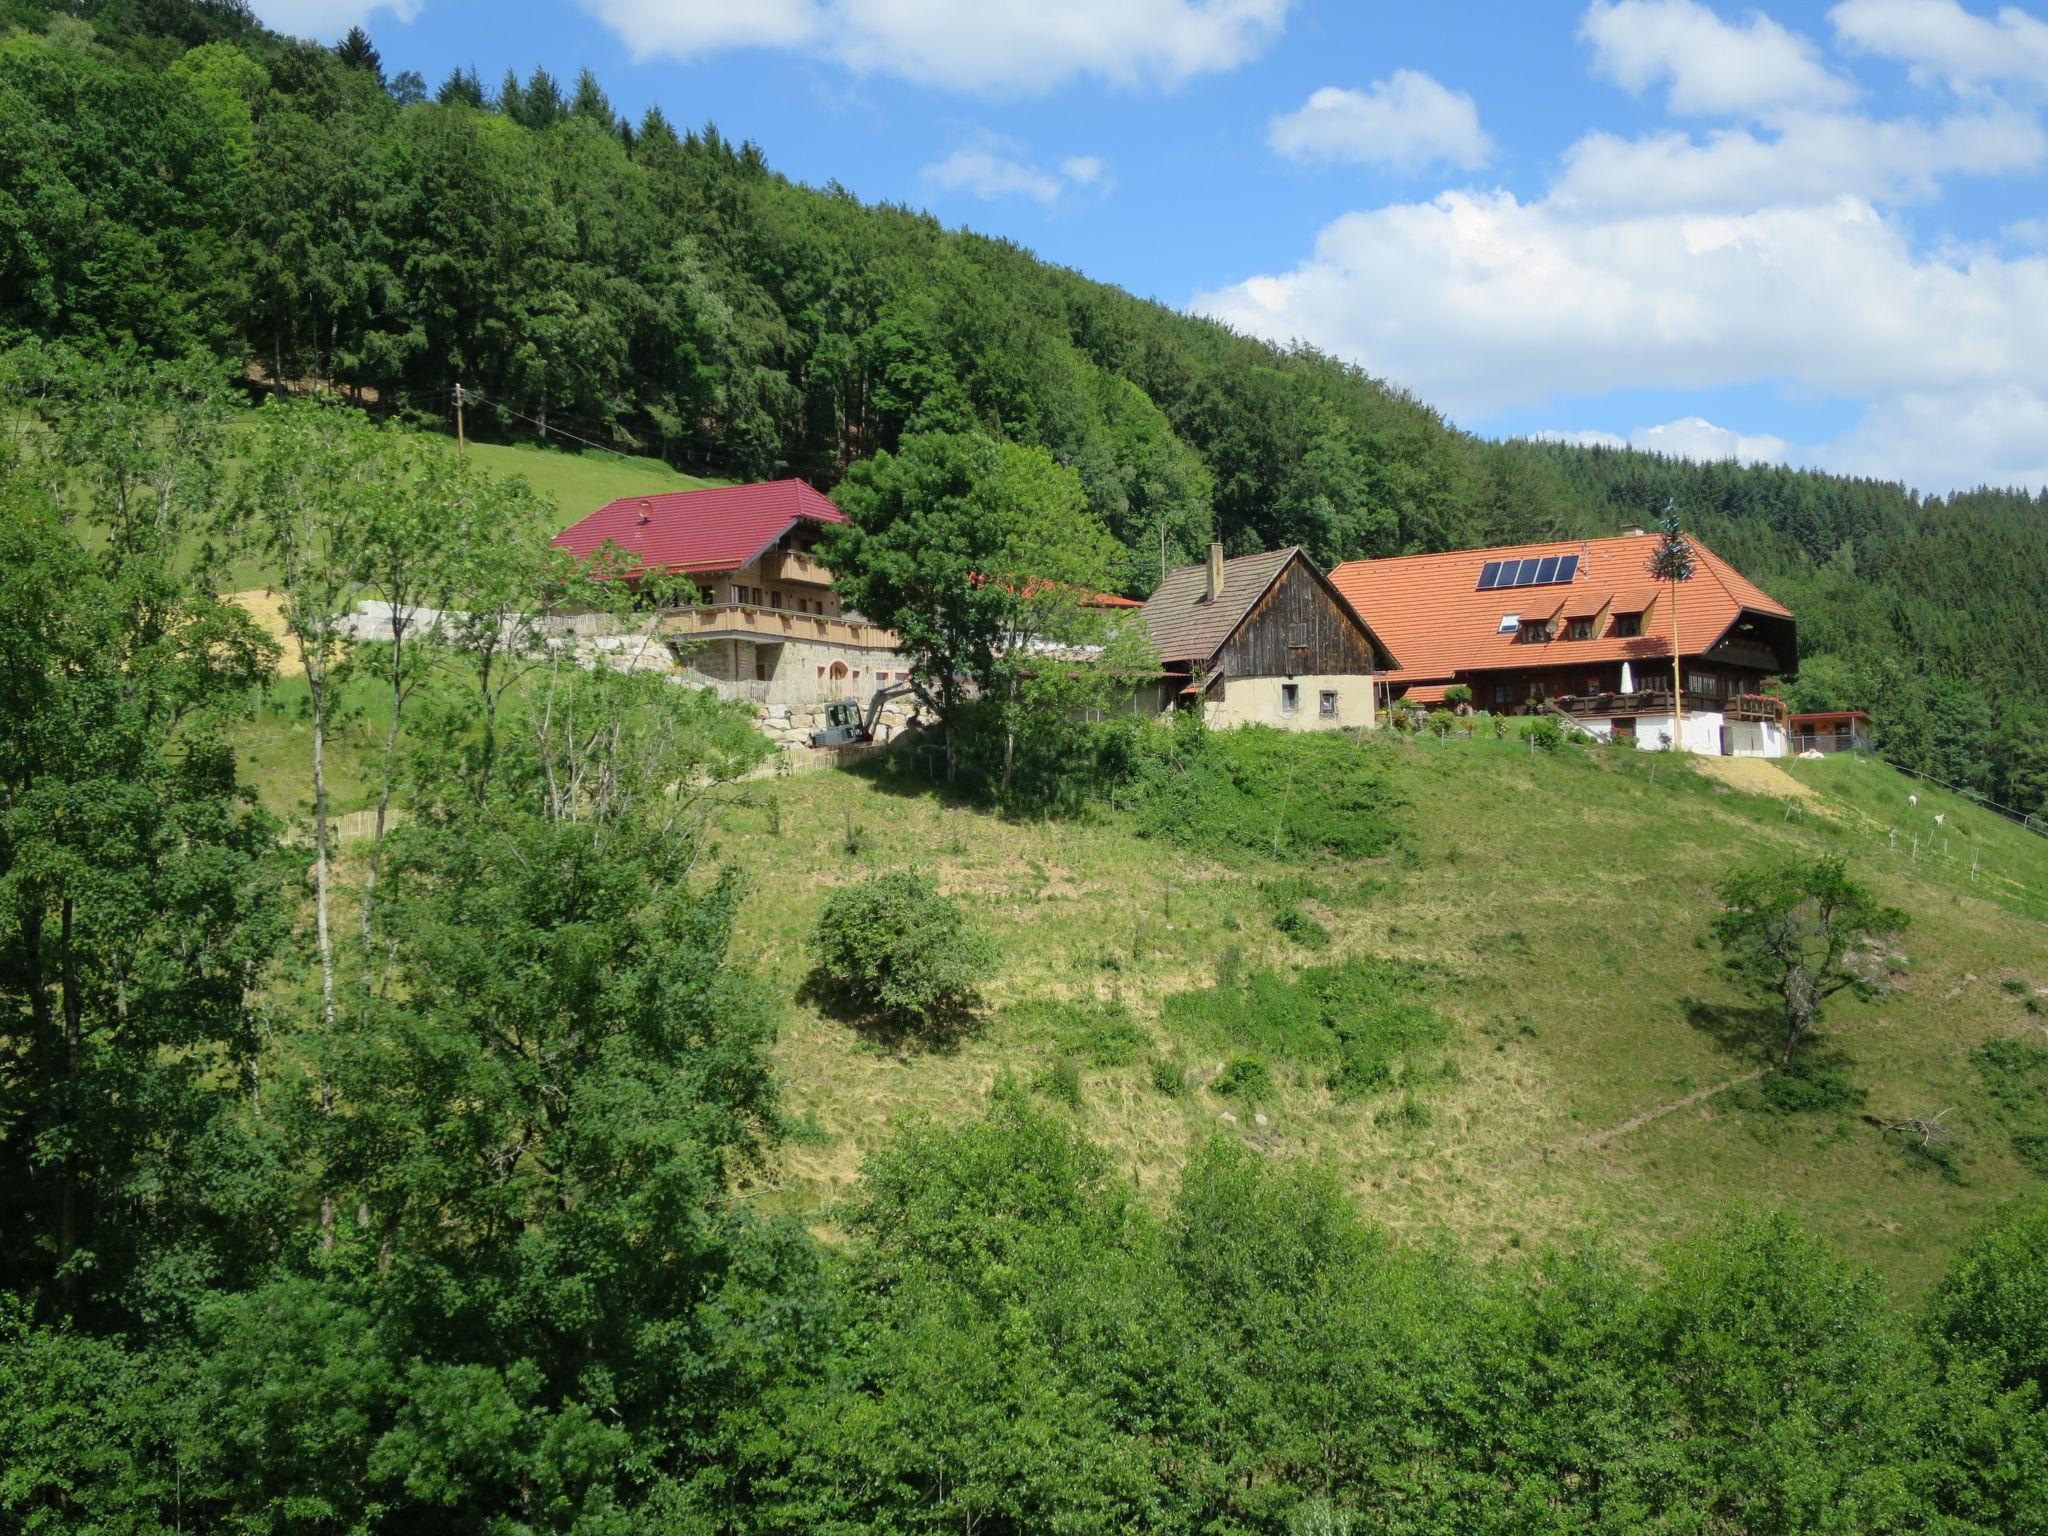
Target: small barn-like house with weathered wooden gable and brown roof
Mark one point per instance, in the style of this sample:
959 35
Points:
1265 640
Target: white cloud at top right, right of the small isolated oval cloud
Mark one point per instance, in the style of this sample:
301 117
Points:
1713 67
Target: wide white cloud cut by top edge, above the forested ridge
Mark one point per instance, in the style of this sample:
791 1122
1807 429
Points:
980 46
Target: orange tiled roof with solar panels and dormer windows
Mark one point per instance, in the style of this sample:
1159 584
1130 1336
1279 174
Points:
1435 617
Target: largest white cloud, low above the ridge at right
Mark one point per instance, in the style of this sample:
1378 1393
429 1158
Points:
1512 304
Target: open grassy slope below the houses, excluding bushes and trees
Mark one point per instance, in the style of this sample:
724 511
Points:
1560 900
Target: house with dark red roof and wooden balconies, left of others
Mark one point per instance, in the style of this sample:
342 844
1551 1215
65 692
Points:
767 626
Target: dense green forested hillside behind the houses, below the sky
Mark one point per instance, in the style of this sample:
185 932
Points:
175 177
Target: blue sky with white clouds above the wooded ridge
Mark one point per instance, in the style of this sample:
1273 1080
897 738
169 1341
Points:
1807 232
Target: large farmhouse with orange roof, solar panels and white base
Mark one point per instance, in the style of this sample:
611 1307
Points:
1584 630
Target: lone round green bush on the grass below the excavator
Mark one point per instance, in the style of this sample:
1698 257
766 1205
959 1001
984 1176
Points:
900 951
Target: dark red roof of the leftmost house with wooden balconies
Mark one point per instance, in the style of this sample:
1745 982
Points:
718 529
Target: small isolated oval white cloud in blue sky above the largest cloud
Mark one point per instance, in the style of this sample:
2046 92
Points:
1406 122
